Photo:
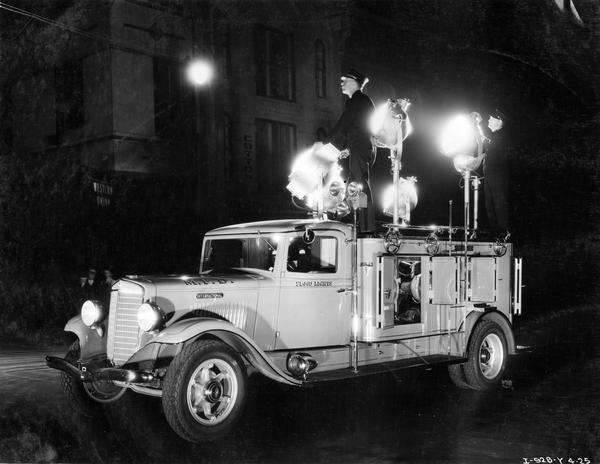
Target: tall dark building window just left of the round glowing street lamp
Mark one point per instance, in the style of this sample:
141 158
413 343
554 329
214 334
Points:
167 98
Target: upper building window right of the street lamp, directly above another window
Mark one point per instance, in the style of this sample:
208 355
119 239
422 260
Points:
275 64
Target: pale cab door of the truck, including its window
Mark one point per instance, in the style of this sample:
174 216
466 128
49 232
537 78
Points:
314 307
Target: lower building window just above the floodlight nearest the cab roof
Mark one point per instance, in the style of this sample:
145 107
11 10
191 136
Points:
275 145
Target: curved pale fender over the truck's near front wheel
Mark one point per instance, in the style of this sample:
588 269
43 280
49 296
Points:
197 328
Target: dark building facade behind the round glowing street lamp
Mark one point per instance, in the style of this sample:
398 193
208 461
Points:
117 97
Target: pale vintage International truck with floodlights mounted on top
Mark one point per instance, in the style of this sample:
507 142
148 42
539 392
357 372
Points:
302 301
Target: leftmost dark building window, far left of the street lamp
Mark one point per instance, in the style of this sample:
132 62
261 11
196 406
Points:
68 81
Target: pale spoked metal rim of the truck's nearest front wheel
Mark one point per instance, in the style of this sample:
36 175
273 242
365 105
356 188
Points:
212 391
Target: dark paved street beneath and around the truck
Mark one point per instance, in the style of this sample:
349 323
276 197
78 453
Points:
550 408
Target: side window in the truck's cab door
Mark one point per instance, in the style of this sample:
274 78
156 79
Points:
318 257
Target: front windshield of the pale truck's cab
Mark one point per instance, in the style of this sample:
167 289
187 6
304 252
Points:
223 254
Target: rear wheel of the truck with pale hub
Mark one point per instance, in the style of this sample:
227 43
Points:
487 356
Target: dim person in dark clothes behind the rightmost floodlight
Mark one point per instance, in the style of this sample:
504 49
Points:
495 172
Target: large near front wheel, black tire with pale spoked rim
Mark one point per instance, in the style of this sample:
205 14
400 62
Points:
204 391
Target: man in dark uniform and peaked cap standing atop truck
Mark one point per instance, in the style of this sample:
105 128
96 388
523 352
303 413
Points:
351 133
